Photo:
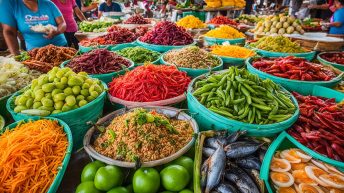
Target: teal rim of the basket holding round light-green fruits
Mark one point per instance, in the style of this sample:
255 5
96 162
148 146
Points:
11 110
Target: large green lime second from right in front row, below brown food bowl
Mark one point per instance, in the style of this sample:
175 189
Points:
146 180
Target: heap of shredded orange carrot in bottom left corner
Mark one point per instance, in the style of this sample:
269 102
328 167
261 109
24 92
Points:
30 156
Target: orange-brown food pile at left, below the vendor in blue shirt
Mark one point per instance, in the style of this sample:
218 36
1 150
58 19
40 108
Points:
45 58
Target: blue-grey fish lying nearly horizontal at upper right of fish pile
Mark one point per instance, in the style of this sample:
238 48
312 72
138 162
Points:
241 149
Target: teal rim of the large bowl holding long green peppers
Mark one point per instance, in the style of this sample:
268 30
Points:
293 99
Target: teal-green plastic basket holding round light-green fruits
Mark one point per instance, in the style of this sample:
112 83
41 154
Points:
77 119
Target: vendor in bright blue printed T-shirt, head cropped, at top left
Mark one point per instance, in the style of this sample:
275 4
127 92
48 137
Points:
21 15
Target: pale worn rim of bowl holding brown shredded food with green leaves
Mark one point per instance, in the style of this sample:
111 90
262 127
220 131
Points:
169 111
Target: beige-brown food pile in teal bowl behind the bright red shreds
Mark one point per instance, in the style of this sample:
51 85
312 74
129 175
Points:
191 57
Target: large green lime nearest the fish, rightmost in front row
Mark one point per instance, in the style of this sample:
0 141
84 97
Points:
175 178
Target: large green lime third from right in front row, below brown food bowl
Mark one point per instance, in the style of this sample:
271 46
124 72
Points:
108 177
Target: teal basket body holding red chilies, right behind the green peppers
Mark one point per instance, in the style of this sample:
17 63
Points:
302 87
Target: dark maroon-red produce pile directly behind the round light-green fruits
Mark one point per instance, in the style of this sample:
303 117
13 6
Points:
100 61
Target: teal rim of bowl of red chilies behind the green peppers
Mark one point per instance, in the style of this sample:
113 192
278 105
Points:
250 67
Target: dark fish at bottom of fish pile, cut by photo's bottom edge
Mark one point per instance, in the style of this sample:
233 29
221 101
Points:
241 179
